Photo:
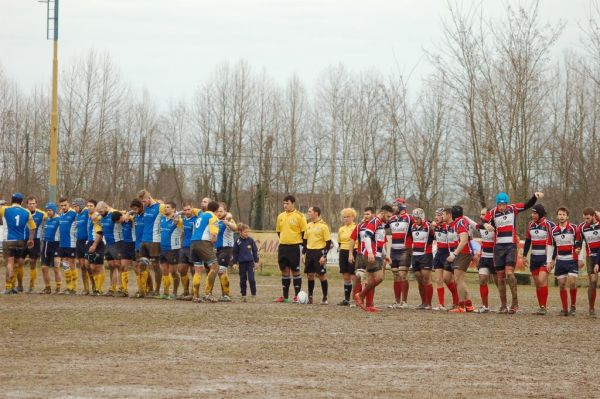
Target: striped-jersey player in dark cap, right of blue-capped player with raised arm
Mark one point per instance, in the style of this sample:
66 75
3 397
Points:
539 238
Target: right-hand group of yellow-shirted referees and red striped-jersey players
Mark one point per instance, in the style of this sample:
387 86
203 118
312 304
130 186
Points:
363 257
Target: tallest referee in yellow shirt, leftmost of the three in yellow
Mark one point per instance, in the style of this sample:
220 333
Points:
290 228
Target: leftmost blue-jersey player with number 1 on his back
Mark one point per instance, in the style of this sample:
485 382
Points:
17 220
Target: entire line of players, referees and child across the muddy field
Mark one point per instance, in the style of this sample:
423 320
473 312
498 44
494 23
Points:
197 244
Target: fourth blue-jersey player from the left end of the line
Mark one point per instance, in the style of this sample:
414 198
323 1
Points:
68 242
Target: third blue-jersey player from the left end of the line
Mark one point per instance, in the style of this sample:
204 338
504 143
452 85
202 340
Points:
49 248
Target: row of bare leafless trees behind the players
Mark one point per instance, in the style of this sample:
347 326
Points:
499 113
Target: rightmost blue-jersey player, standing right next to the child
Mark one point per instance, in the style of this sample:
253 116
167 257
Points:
224 246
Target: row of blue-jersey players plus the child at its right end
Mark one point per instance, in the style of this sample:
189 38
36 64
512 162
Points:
82 235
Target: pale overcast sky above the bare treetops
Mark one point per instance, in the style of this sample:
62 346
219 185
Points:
169 46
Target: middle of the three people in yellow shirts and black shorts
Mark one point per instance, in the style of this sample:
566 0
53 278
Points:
317 241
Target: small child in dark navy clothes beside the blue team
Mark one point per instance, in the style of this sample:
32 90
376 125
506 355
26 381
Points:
245 253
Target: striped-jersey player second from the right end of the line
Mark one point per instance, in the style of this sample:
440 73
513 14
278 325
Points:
567 245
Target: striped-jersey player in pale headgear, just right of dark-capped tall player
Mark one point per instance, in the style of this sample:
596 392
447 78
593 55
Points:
422 257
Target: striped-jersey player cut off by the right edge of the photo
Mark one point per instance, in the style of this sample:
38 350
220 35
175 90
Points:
590 234
